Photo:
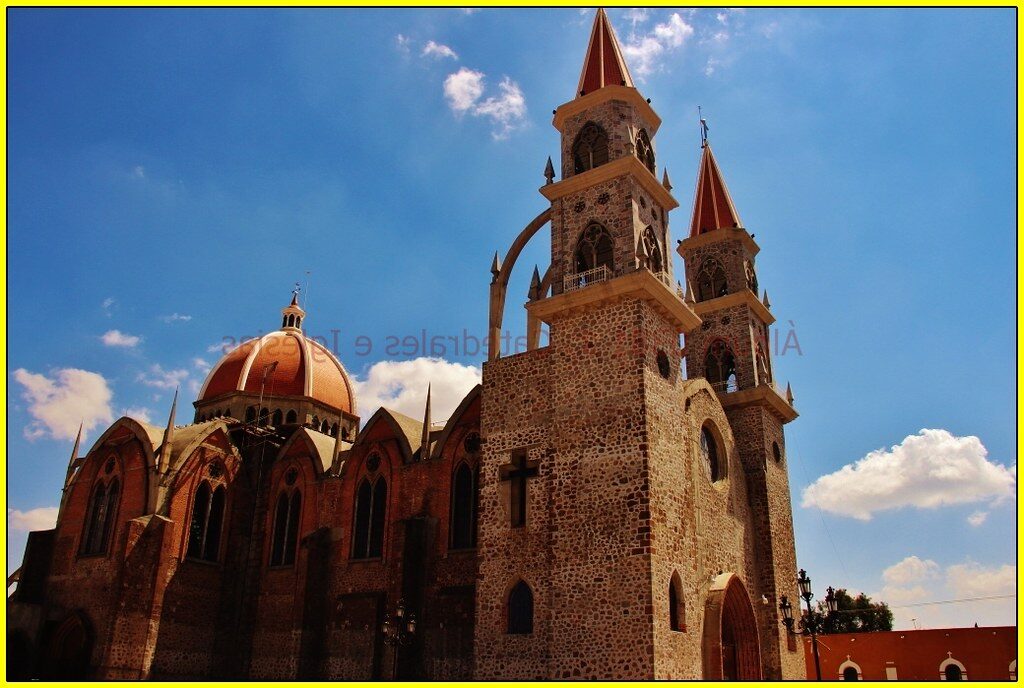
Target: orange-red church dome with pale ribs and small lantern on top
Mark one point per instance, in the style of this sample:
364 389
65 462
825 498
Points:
293 365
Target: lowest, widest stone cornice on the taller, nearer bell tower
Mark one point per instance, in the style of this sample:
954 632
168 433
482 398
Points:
641 284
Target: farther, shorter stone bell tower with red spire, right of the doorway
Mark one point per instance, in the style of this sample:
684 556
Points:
732 351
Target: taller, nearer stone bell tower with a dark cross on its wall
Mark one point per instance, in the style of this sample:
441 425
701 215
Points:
575 434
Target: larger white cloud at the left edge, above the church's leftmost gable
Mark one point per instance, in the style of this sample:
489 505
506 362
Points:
59 404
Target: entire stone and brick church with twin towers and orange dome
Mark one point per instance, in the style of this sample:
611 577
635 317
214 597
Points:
607 505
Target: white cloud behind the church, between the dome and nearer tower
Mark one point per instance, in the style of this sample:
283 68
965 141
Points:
402 386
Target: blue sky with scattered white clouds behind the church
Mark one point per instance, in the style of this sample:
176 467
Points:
173 174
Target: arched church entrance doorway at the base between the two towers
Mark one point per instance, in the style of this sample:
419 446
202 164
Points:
732 650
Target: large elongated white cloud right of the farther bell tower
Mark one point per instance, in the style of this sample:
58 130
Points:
927 470
